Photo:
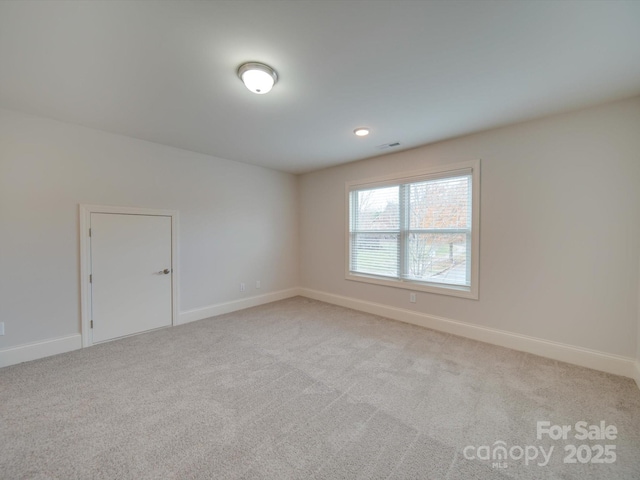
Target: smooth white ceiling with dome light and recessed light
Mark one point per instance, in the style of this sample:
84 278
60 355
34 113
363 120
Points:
415 72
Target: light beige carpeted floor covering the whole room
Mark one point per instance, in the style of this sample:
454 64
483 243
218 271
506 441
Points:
303 389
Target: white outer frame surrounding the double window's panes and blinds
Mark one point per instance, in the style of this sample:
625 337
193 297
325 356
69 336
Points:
442 171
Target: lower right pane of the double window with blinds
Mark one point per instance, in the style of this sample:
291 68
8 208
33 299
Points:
438 258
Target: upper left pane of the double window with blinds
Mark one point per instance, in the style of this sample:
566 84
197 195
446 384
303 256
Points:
377 209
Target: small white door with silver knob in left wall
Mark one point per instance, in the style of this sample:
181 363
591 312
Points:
131 274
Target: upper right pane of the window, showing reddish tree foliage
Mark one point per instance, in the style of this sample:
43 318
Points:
440 203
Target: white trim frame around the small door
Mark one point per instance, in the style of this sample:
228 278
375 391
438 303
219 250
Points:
85 260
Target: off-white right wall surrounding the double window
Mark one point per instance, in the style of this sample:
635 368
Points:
560 228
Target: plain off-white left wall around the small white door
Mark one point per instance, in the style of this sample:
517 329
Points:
237 222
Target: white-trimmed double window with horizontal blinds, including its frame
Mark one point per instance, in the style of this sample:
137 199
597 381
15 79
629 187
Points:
417 231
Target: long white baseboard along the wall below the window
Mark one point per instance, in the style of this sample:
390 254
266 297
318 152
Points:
605 362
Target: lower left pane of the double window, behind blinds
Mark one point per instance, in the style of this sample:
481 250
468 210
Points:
375 254
